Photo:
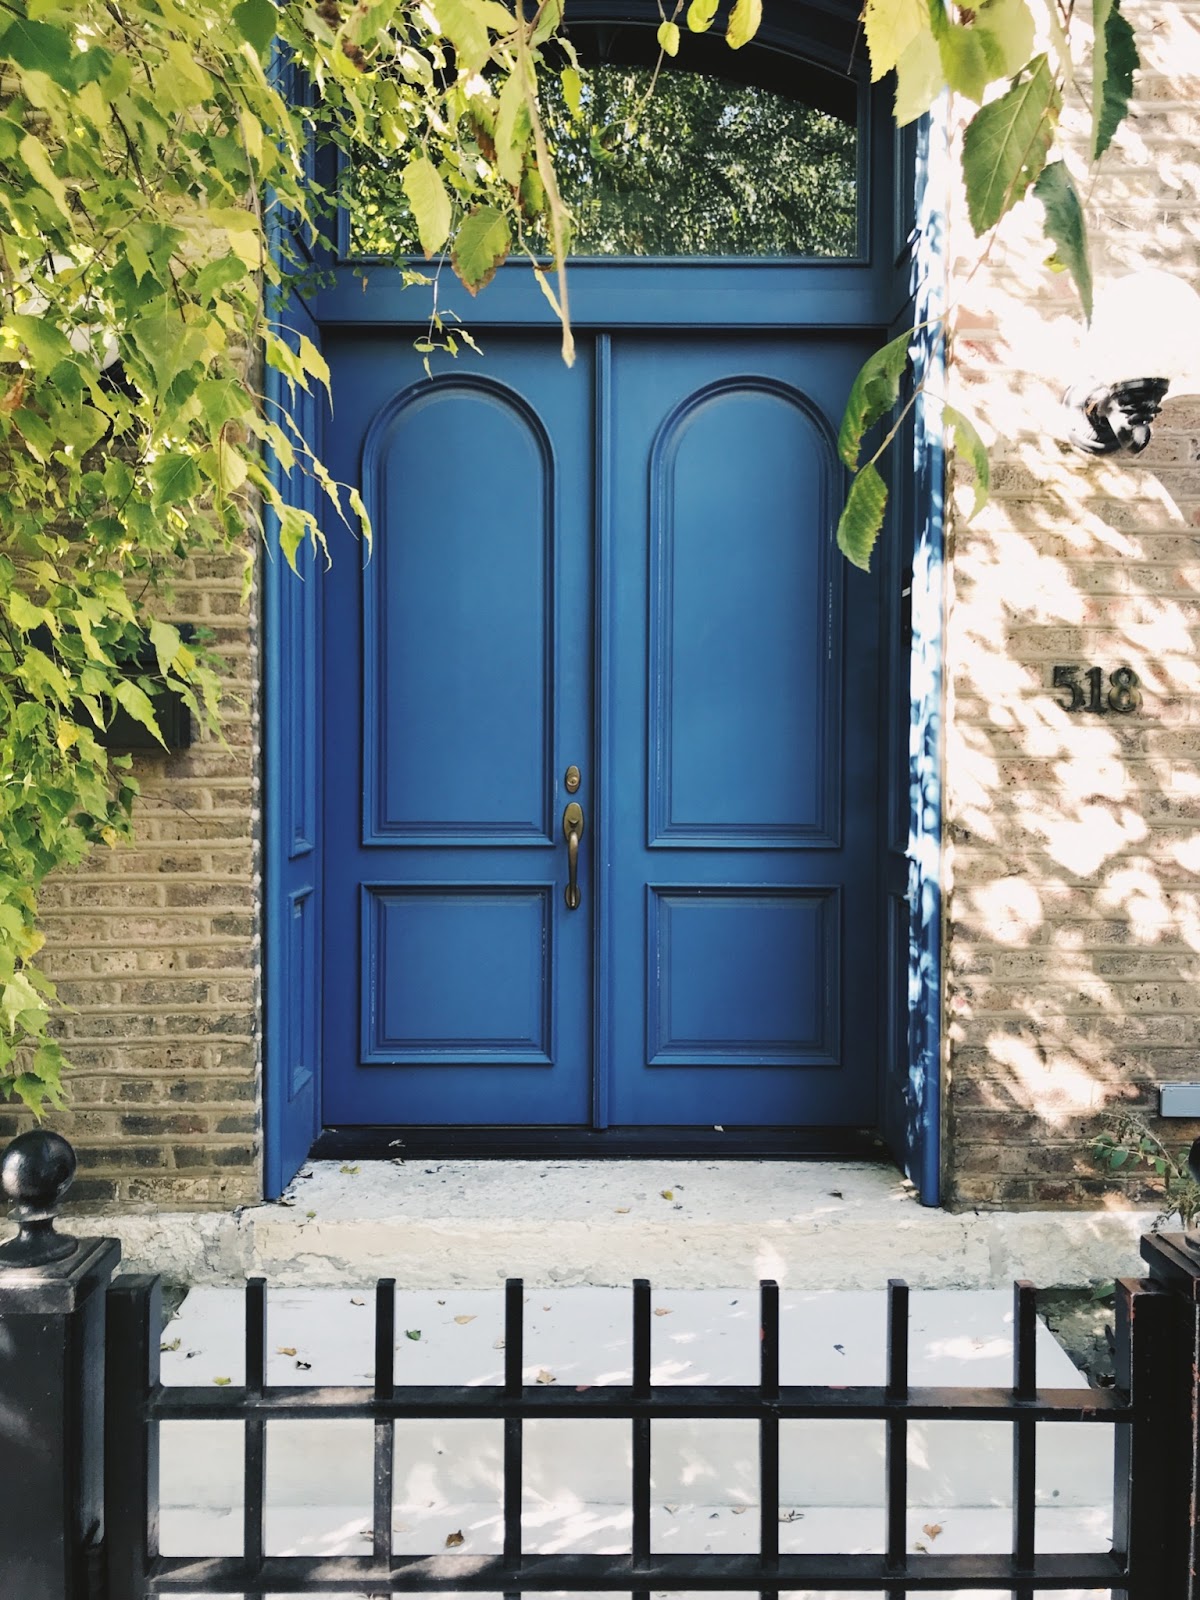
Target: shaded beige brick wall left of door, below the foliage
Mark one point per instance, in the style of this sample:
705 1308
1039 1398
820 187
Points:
154 948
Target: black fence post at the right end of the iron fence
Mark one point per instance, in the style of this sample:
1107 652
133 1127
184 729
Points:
1175 1266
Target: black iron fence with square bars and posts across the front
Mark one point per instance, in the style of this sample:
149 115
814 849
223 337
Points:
82 1404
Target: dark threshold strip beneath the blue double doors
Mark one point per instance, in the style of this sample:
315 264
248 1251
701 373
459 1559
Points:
783 1145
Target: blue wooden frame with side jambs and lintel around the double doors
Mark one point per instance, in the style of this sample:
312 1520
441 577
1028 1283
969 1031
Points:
898 279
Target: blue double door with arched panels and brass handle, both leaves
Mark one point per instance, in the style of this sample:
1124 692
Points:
612 590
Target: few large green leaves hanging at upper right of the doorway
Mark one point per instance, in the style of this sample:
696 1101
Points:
1014 60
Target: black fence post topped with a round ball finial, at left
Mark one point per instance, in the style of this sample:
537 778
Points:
52 1383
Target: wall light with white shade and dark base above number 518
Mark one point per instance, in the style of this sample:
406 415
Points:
1145 337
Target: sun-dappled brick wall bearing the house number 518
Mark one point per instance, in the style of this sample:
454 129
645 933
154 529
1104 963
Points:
1074 842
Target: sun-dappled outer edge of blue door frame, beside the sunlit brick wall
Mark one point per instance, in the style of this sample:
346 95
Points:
927 671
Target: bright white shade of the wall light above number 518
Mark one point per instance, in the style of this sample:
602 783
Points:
1146 326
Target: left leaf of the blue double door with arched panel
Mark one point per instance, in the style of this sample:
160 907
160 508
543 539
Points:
458 983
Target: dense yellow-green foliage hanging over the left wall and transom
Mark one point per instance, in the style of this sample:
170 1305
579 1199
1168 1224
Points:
146 158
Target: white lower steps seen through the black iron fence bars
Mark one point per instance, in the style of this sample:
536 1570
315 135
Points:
577 1474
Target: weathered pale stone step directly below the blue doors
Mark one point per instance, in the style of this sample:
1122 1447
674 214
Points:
814 1225
